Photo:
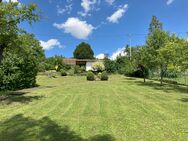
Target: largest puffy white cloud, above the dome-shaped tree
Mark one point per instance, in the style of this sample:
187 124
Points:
77 28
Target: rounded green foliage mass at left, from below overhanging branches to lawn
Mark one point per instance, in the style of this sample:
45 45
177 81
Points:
20 64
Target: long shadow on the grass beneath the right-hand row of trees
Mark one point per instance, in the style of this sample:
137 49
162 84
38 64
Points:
168 88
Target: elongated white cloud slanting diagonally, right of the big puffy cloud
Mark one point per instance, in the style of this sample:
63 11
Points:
118 14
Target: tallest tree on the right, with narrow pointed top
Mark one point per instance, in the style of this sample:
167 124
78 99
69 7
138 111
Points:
157 38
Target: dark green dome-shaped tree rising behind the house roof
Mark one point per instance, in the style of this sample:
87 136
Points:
83 51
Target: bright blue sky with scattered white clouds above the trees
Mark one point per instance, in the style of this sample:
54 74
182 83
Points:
104 24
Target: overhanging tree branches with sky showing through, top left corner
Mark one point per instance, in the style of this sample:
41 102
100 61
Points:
12 14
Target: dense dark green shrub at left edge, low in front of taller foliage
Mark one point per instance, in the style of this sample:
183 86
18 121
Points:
17 72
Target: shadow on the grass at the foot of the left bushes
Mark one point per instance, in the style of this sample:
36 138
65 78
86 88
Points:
17 96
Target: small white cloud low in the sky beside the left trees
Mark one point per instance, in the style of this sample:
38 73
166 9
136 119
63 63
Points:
50 44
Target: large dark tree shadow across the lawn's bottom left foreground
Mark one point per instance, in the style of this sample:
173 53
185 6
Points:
20 128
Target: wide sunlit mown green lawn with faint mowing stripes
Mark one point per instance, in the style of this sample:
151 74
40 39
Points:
72 109
